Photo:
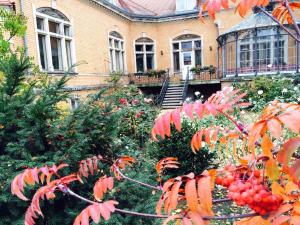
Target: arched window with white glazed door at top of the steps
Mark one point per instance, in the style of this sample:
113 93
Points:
187 51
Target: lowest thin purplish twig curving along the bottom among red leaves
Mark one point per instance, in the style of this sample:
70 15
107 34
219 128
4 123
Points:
122 211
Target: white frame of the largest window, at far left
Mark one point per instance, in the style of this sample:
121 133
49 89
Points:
46 18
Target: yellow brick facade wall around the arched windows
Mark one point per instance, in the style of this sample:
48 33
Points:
92 23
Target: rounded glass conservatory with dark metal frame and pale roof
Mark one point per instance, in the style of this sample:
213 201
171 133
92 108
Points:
257 46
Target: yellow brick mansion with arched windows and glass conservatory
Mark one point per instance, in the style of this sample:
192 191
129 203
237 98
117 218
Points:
138 36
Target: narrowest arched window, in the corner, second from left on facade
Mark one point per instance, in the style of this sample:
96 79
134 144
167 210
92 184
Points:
116 52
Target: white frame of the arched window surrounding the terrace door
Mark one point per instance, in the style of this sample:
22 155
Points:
193 50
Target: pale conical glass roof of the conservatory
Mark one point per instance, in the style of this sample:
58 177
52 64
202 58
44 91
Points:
256 20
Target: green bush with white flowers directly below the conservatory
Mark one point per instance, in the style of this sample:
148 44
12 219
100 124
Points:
265 89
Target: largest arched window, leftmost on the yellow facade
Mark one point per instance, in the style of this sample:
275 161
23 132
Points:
55 40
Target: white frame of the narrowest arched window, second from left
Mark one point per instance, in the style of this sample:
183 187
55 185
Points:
112 58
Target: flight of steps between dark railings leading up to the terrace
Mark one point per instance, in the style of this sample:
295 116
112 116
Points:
173 97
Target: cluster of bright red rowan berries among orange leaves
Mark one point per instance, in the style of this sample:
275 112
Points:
247 188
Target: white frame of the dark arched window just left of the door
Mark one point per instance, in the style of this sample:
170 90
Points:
144 52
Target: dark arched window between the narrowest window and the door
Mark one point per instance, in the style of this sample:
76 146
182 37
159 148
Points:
144 54
